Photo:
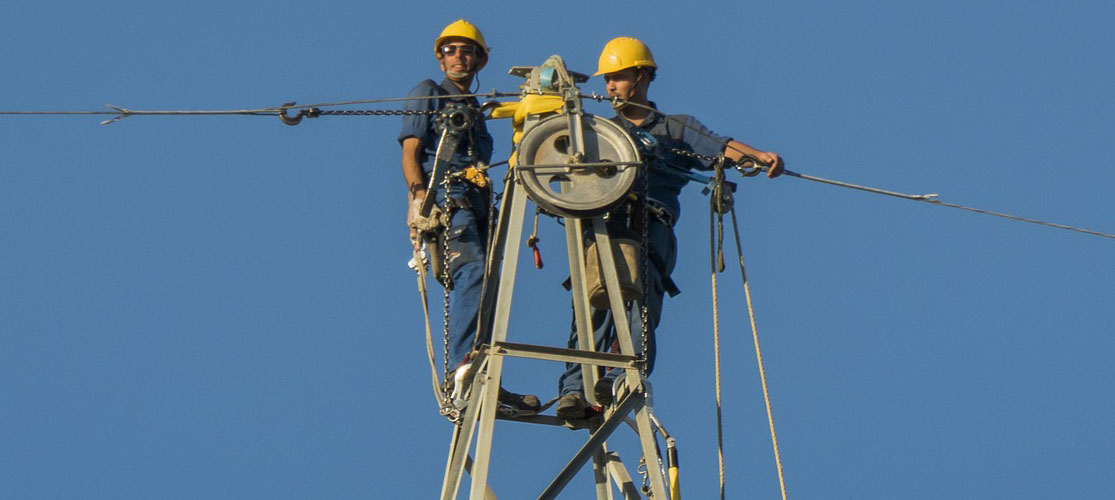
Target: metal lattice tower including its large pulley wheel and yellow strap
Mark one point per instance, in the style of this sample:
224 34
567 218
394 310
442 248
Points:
579 168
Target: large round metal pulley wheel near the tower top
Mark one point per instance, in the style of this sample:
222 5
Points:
597 184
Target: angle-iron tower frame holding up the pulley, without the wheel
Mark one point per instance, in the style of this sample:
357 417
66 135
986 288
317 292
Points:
479 419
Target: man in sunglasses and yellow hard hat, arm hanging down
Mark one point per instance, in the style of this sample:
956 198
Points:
462 53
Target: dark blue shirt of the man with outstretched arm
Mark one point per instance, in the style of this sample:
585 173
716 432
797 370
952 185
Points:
674 132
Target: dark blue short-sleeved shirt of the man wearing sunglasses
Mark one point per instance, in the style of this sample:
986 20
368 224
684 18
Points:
423 127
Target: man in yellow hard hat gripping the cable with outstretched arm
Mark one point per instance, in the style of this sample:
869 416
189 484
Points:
628 69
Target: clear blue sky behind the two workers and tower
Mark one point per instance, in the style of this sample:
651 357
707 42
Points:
219 307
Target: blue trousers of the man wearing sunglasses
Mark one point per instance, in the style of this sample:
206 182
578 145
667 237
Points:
467 254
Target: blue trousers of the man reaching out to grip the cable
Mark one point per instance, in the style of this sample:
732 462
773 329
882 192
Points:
663 253
